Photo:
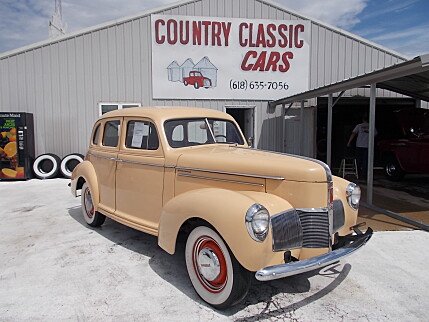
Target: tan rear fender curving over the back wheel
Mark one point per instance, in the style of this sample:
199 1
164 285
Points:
86 171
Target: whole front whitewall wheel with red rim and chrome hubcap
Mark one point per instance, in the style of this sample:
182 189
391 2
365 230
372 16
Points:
216 275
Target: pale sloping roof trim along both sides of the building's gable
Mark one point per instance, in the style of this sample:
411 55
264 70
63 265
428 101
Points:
178 4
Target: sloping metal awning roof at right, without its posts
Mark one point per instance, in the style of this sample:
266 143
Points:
410 78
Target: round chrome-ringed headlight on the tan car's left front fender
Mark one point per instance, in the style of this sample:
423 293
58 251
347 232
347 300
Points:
257 222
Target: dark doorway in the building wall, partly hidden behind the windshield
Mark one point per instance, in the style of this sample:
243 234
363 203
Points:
245 117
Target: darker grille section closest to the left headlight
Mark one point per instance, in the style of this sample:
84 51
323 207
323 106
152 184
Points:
287 231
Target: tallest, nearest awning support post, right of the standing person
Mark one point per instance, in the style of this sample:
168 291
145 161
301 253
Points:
370 177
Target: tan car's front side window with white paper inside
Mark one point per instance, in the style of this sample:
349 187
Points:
141 135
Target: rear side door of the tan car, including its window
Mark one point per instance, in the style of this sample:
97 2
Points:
103 157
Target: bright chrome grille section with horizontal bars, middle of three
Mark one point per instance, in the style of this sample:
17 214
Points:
315 229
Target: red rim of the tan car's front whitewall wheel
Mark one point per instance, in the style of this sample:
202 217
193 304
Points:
218 282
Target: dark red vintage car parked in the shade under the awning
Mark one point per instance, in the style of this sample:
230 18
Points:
408 152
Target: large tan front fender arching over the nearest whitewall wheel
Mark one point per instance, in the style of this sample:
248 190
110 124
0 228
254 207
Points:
225 210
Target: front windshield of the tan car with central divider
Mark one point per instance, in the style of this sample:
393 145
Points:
189 132
